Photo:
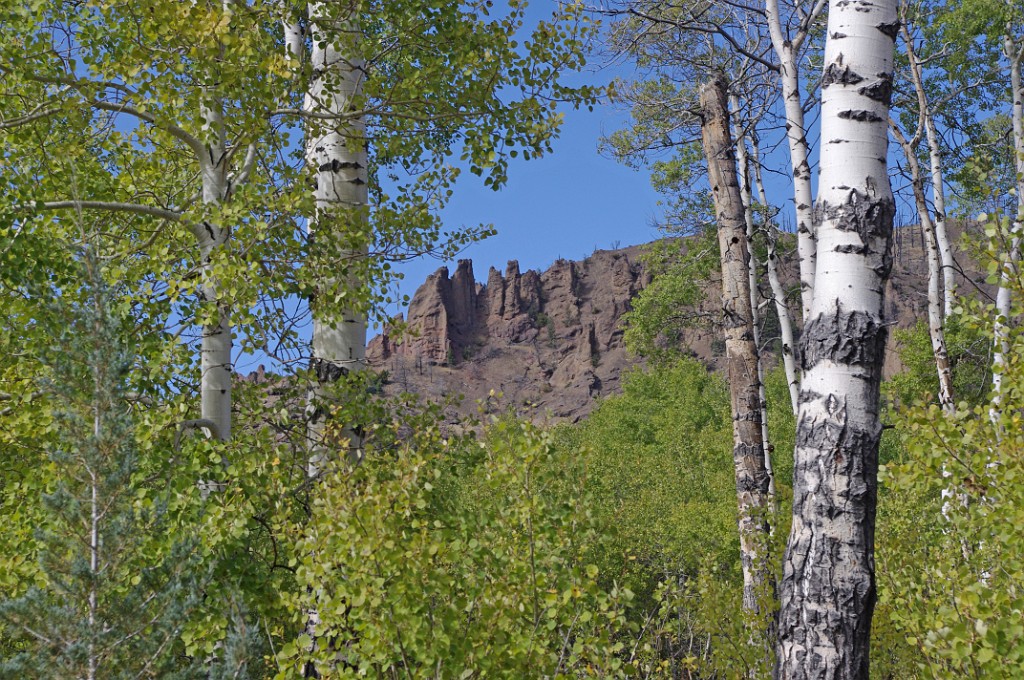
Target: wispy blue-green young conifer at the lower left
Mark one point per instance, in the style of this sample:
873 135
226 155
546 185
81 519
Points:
111 594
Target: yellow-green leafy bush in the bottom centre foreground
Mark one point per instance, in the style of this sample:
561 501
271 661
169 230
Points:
452 556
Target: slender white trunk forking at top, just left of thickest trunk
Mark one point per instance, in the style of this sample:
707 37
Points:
796 134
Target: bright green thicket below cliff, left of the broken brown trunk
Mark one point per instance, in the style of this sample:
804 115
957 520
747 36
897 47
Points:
661 472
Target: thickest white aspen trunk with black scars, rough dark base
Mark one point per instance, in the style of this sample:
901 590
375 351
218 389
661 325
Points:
828 590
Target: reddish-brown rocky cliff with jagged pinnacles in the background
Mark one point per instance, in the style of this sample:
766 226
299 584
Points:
549 345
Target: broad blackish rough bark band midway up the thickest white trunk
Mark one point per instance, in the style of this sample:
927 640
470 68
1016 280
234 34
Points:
851 338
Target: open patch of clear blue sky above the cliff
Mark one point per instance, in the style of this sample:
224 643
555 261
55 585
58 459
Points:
566 204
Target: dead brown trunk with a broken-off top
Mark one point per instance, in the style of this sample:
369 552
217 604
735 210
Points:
748 448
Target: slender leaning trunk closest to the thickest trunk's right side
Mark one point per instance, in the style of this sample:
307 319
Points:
935 327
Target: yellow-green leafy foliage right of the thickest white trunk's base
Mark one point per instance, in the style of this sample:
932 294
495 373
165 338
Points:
951 557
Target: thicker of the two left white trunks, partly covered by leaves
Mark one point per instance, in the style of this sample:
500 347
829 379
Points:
337 154
